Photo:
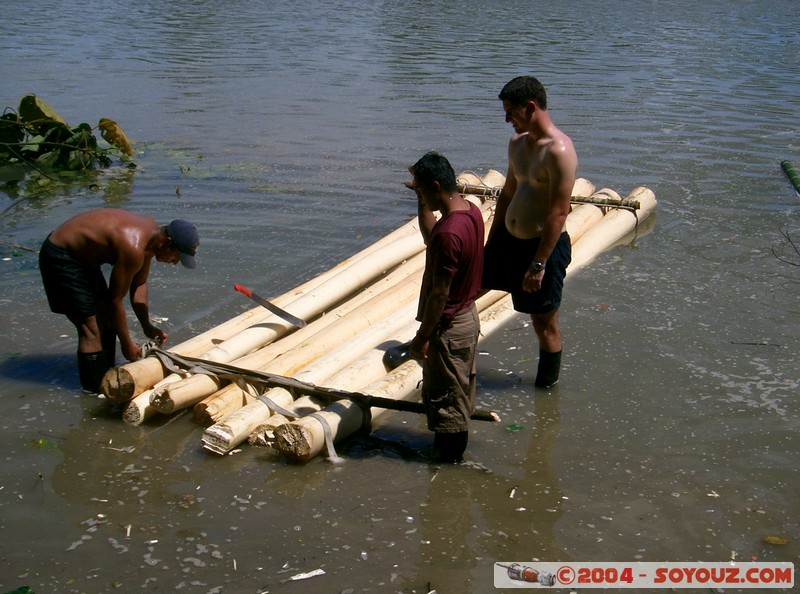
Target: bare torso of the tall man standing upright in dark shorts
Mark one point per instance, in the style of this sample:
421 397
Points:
544 173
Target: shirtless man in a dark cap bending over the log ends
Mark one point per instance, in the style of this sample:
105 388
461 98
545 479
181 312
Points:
70 261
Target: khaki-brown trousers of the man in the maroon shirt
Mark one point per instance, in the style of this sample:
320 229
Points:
448 374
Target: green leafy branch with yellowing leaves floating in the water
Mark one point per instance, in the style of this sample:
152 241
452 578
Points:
37 136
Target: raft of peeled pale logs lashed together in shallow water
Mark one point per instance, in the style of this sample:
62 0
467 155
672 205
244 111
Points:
258 379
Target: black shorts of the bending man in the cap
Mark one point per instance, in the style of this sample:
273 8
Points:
72 287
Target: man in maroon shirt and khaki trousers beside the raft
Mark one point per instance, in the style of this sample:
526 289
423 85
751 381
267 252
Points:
447 338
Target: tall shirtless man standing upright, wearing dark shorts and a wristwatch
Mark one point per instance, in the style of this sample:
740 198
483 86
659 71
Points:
529 249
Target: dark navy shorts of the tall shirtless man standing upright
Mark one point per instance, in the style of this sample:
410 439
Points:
505 261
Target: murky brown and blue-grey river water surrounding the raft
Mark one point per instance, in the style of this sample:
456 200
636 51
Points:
284 133
